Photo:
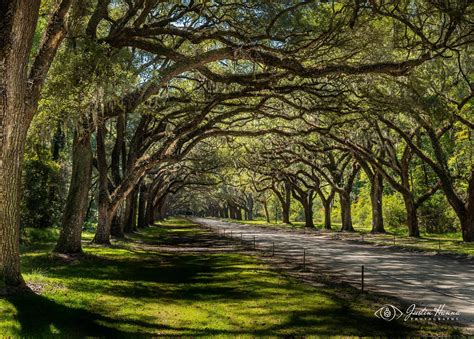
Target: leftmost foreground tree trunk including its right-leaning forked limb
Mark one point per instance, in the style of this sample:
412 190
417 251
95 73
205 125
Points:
20 89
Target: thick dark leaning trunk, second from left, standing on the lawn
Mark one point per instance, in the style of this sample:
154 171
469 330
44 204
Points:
75 211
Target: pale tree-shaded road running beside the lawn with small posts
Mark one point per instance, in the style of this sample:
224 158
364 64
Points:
426 280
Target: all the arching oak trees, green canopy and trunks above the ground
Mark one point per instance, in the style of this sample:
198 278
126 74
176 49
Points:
119 113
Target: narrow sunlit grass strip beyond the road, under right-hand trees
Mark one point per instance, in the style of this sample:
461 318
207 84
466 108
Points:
445 242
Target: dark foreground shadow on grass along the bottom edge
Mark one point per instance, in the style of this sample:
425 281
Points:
41 317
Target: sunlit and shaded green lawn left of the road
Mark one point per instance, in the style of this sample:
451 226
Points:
157 283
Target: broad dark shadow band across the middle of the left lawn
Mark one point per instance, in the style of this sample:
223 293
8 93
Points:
141 275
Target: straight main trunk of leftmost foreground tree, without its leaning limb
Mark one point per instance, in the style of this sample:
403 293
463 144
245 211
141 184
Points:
17 25
